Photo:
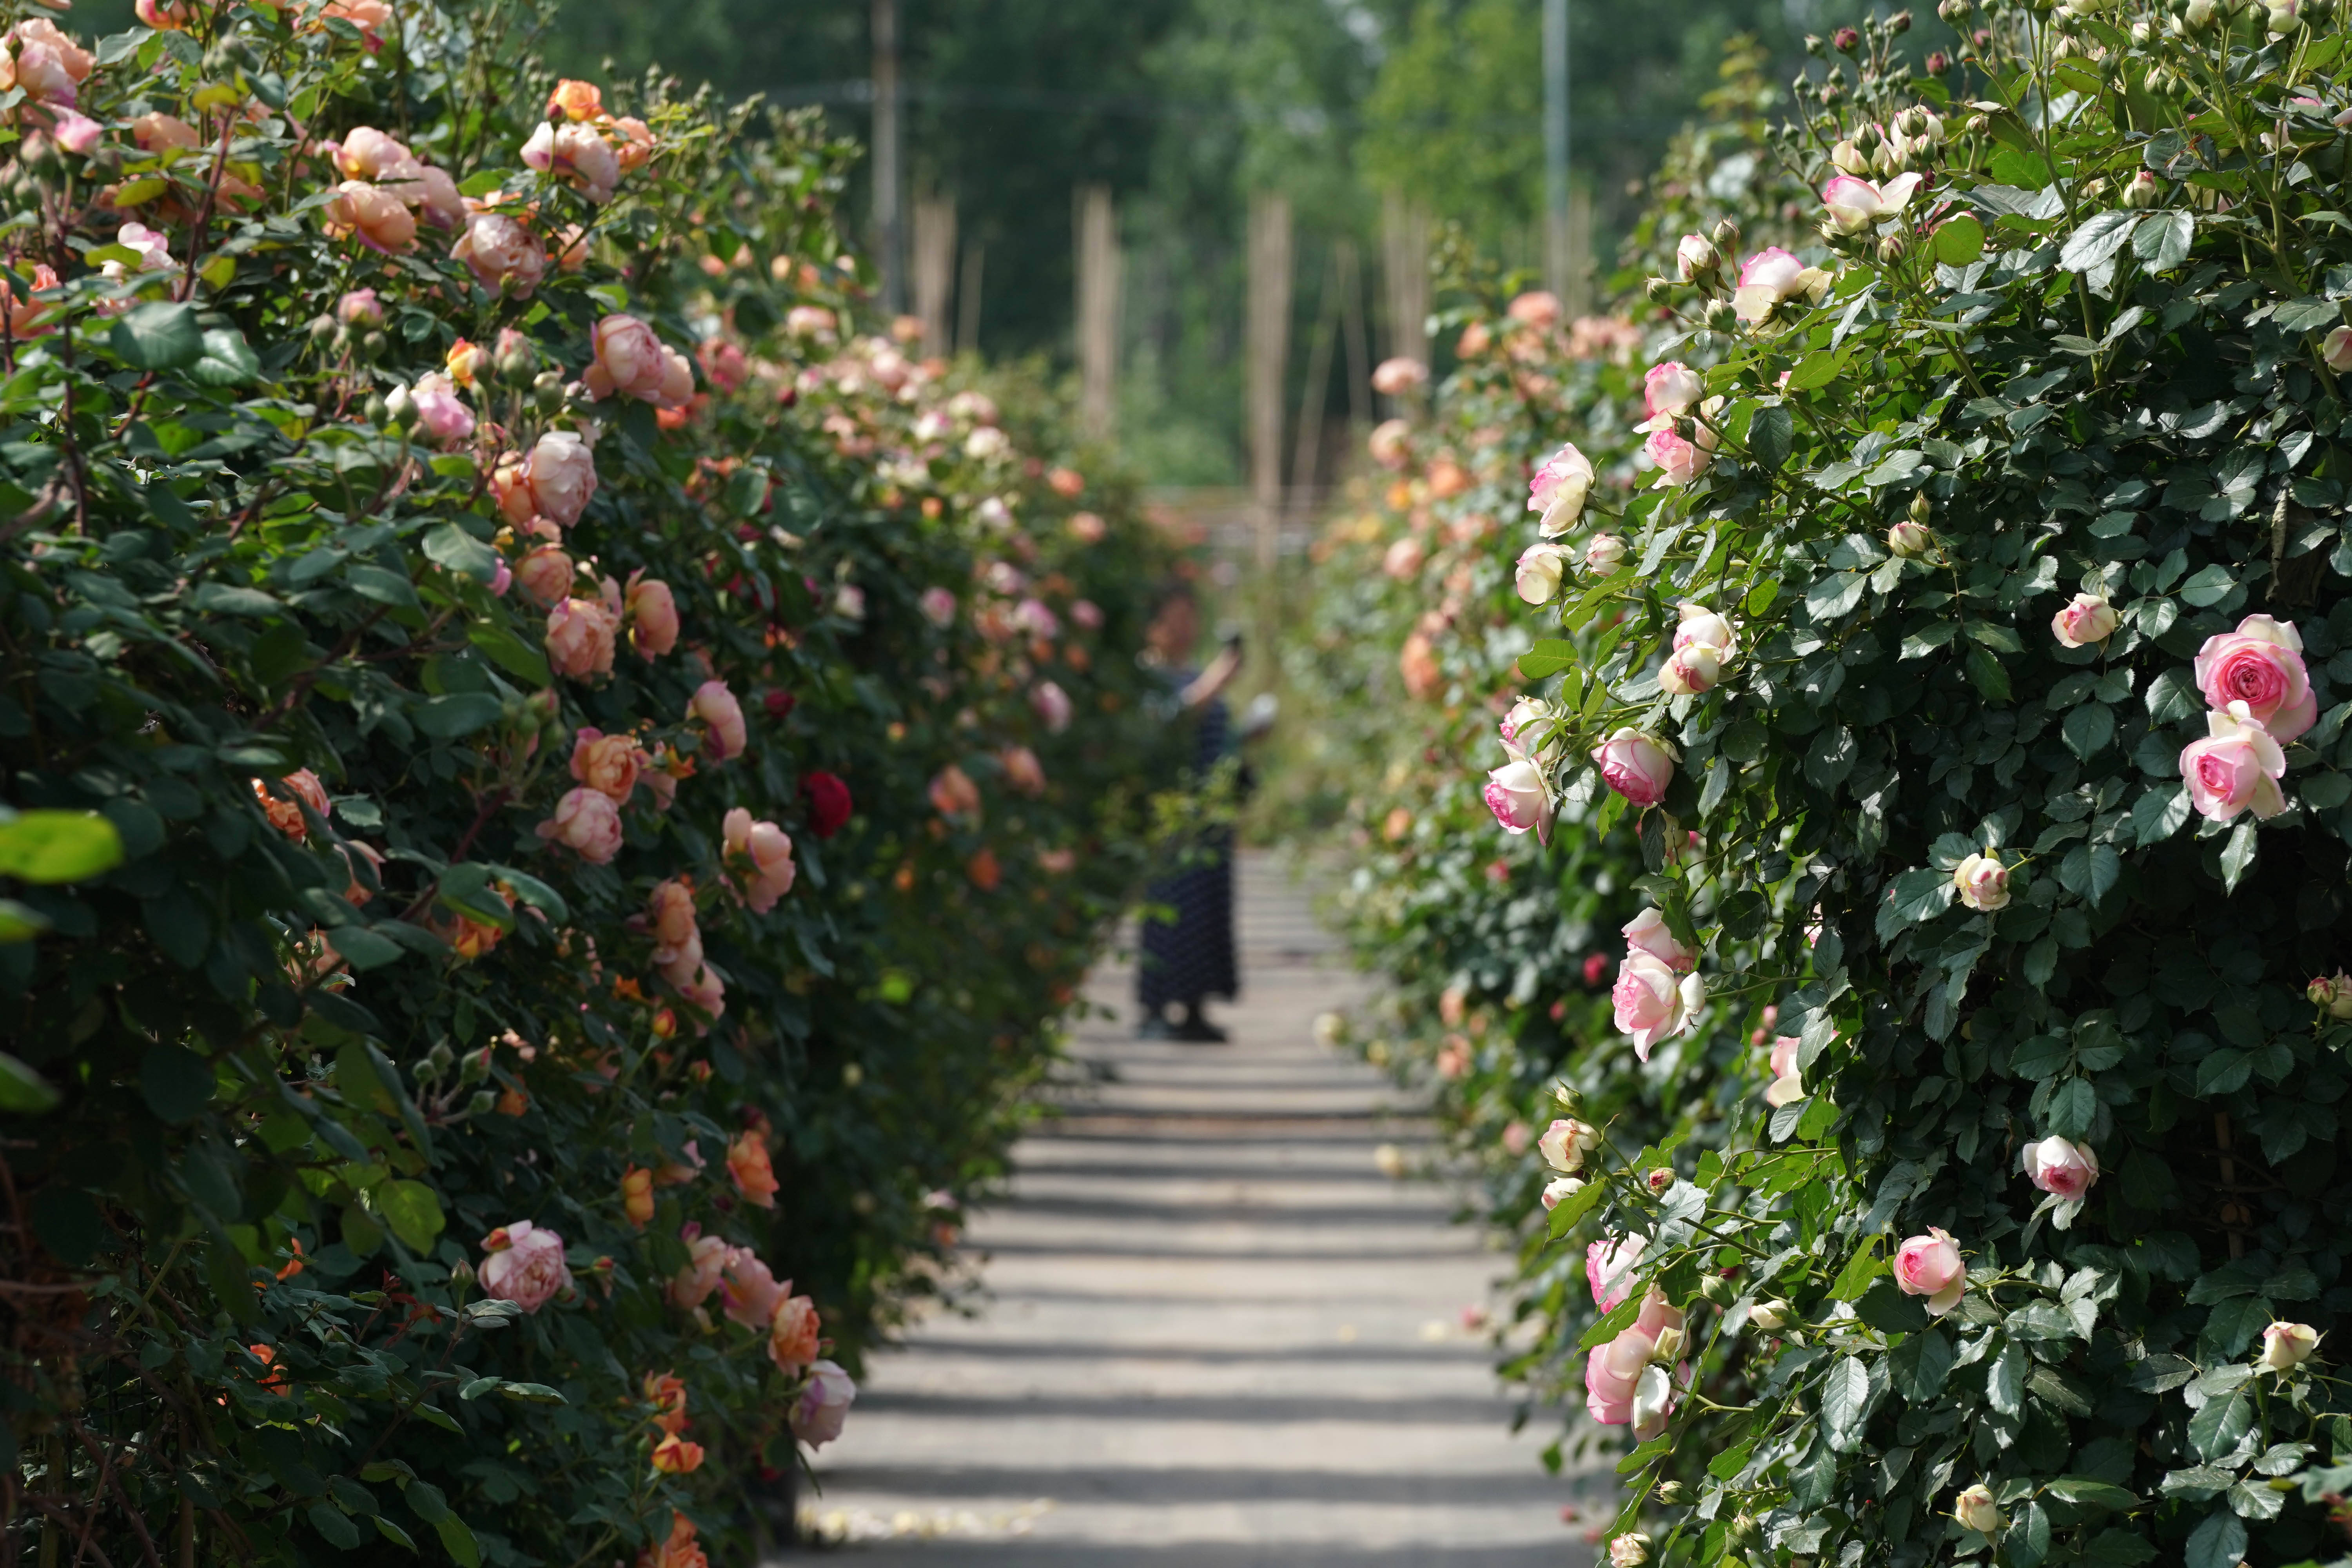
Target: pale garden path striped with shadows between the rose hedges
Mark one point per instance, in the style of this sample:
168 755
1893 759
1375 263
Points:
1215 1332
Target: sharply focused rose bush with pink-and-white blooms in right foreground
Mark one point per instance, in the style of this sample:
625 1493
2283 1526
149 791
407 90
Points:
1970 671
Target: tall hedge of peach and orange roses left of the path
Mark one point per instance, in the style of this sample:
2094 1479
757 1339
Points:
563 793
